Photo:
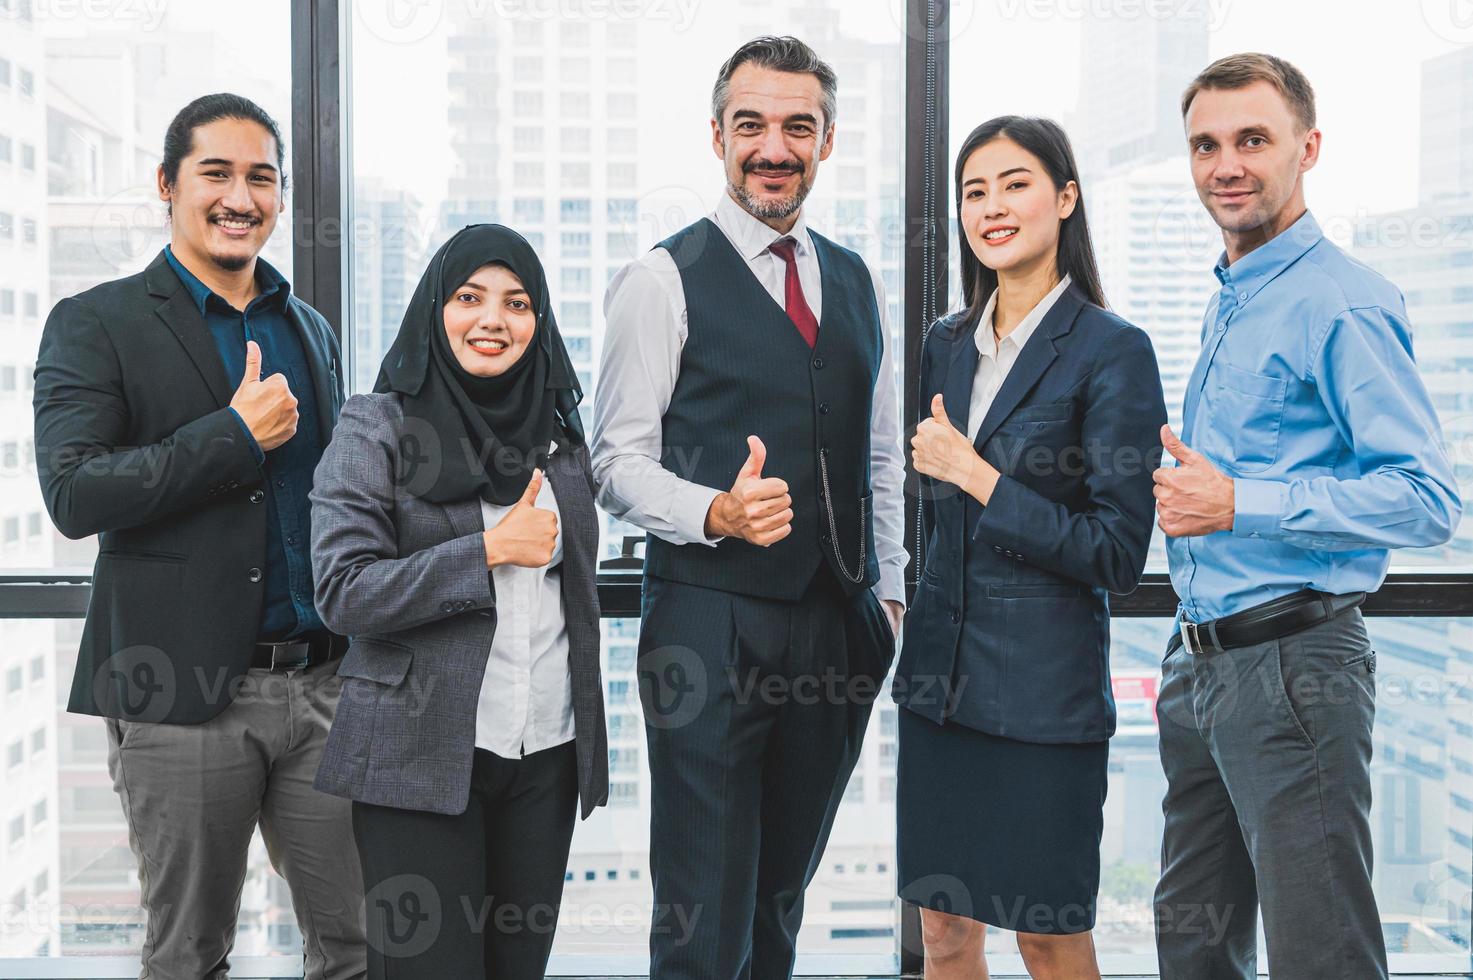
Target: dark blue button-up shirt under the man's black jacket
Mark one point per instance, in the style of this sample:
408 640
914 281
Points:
288 469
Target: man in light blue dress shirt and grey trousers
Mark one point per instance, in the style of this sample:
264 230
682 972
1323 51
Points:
1309 450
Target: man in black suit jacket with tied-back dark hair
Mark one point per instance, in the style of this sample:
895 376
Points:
179 416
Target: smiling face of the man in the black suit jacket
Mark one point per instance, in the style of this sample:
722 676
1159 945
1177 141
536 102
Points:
228 197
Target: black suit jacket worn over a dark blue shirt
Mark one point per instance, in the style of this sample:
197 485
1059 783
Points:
135 443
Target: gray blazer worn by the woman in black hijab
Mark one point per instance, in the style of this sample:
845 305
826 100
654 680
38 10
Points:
407 580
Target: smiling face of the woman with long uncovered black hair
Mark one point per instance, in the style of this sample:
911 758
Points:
1011 210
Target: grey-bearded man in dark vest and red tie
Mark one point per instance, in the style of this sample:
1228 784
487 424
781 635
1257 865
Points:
748 421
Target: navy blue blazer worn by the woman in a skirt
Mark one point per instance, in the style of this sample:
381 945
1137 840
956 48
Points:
1010 627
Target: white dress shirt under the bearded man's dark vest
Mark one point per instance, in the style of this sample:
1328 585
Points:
646 318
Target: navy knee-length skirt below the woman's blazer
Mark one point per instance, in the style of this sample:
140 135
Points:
998 830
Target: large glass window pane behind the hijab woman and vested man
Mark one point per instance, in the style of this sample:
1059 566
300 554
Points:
641 167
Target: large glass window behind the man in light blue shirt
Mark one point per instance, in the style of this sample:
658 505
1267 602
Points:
1393 188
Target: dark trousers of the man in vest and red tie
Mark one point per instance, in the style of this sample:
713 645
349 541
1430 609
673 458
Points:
755 714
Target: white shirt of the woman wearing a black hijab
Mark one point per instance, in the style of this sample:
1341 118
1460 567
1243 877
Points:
527 695
